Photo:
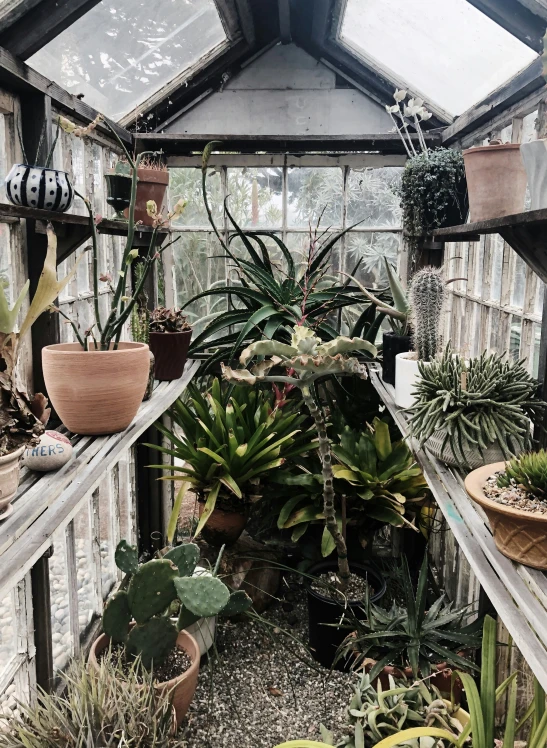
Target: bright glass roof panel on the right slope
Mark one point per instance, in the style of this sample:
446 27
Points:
447 49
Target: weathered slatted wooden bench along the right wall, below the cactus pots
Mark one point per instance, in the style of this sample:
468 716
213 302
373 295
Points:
518 593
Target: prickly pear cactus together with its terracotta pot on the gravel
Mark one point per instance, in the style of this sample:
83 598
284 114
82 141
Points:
136 619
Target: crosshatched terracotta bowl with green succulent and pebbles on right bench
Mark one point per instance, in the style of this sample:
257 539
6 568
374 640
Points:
513 496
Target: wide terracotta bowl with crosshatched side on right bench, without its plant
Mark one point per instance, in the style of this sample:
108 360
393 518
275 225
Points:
519 535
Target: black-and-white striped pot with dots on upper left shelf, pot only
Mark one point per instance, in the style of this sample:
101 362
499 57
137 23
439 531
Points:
38 187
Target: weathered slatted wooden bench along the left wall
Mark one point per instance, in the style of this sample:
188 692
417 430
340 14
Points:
46 502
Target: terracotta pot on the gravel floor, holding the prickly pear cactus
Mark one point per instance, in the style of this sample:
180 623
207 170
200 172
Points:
182 688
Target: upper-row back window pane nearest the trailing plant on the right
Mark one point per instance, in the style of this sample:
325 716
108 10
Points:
372 197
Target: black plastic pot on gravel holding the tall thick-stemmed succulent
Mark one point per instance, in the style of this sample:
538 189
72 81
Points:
325 639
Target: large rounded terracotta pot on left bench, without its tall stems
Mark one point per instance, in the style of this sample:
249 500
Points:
96 392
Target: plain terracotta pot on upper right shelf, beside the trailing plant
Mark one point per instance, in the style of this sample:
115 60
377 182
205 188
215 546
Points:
496 181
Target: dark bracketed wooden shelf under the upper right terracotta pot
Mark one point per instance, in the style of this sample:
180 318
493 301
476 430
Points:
526 233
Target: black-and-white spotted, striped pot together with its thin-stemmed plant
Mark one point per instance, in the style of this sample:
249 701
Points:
37 186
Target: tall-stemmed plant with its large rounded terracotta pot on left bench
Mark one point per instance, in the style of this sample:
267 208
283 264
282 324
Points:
97 384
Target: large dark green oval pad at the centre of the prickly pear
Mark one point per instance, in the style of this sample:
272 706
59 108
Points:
151 589
